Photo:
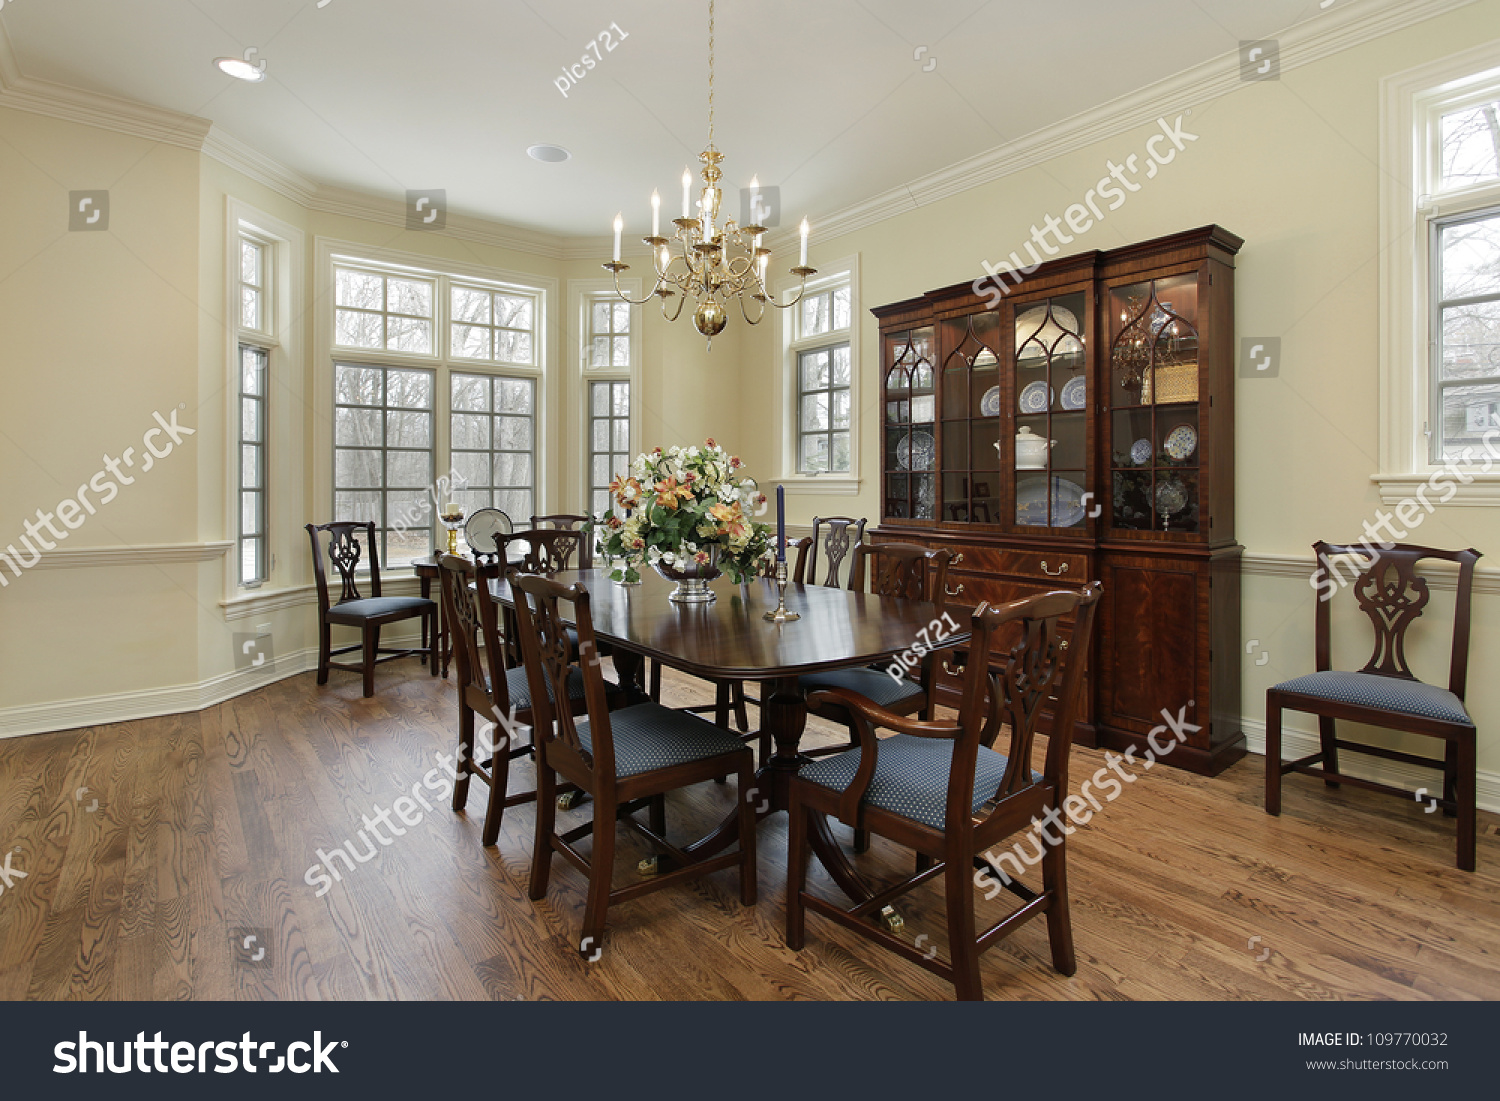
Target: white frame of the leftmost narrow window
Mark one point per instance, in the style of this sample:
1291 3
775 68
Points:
283 434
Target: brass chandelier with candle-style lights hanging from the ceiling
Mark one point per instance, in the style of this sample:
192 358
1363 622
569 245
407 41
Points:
710 262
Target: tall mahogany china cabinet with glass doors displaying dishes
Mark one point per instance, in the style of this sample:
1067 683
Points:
1082 427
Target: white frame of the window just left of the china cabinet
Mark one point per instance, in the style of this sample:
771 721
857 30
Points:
838 274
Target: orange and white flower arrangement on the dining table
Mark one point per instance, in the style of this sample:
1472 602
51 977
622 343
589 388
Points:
685 508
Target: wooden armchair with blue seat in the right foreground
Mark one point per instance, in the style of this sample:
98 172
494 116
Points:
944 791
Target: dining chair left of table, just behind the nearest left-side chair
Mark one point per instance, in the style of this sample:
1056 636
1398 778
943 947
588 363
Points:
487 689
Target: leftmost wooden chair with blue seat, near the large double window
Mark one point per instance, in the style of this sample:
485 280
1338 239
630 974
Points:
368 614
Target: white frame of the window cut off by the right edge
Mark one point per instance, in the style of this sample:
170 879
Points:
1412 107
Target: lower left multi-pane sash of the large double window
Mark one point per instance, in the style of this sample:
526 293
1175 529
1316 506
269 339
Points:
383 455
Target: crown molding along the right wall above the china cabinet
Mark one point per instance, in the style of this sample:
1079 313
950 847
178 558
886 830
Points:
1303 44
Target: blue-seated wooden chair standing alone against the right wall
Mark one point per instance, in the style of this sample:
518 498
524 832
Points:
1385 692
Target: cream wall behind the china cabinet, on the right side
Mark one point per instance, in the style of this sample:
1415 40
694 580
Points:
1291 167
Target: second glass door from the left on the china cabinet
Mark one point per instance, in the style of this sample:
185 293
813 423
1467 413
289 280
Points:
971 406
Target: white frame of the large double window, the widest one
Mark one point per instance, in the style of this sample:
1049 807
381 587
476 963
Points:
331 253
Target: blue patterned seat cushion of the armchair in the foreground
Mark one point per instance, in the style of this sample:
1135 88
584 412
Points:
911 776
